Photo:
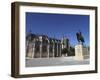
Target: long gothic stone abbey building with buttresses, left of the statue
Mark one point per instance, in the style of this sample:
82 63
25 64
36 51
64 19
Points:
42 46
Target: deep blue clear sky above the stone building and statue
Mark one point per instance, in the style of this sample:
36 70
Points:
58 25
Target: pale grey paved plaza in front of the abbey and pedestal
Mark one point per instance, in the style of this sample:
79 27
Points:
59 61
